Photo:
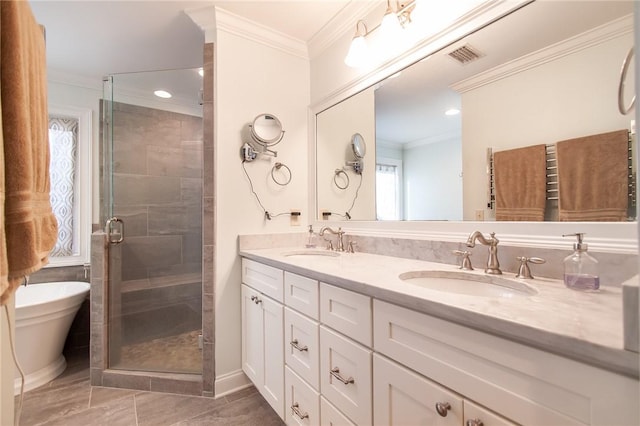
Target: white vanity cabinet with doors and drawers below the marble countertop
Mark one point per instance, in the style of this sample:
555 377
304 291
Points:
356 360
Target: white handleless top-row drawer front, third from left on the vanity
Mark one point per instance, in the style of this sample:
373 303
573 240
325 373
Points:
347 312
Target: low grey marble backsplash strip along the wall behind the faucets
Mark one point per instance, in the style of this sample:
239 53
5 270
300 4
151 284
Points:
615 268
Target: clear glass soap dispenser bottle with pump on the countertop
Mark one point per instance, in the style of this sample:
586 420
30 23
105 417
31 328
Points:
580 268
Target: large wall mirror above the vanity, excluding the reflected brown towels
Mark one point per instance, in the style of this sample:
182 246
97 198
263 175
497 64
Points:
544 73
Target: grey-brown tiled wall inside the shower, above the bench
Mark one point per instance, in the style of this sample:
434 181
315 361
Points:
158 193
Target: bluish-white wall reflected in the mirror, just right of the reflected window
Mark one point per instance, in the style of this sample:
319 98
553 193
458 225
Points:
432 181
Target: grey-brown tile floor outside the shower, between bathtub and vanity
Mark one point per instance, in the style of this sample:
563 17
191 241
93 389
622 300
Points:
70 400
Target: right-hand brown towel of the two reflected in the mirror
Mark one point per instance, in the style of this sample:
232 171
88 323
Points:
593 177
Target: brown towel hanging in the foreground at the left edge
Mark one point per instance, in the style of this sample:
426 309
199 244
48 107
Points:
29 226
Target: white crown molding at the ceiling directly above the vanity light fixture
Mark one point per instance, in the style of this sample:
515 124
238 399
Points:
342 23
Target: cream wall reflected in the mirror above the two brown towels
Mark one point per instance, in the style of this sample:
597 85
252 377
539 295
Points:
579 92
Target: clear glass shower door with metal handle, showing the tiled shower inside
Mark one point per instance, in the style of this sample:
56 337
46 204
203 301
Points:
152 170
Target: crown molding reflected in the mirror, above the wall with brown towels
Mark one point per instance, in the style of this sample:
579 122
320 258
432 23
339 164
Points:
598 35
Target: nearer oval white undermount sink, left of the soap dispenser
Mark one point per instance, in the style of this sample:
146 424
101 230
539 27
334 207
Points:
469 284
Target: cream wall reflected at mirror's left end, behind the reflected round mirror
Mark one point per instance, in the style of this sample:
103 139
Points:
335 127
